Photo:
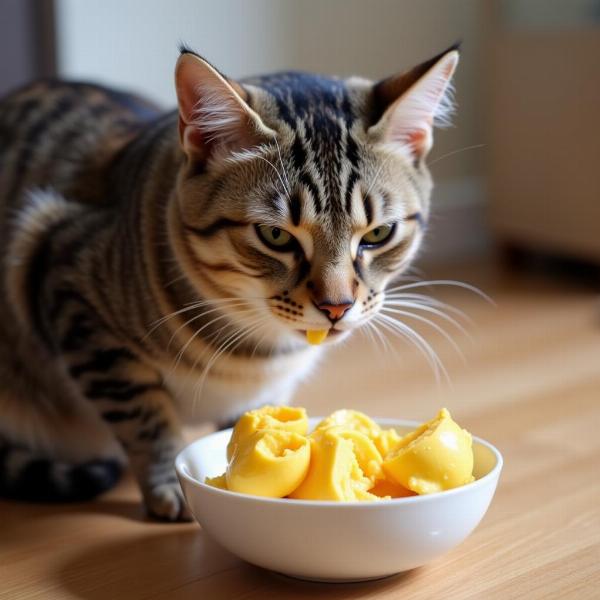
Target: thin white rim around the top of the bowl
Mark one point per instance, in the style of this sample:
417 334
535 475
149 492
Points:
352 504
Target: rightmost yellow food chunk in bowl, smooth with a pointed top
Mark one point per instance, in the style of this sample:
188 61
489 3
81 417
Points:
435 457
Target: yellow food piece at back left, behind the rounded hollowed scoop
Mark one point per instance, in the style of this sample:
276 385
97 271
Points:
287 418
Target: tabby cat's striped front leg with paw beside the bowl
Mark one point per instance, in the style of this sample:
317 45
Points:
130 396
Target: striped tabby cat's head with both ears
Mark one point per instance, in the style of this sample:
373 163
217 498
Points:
301 197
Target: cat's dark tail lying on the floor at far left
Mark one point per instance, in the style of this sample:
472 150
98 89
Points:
25 475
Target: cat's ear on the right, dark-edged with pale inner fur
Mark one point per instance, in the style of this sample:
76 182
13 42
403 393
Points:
408 105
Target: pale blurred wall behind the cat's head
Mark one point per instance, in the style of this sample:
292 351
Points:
133 44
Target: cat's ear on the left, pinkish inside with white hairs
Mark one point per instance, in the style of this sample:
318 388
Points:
214 116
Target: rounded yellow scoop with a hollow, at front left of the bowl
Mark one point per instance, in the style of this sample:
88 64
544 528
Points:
270 462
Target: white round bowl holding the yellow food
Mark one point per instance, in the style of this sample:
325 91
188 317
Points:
335 541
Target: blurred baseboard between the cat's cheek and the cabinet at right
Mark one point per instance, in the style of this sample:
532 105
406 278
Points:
458 227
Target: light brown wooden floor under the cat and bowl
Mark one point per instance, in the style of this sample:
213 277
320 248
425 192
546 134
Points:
531 385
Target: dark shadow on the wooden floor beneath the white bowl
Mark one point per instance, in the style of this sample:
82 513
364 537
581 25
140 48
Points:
188 564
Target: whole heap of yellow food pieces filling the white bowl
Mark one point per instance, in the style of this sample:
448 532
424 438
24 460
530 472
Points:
348 457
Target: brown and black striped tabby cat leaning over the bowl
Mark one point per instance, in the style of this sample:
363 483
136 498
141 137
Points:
157 266
